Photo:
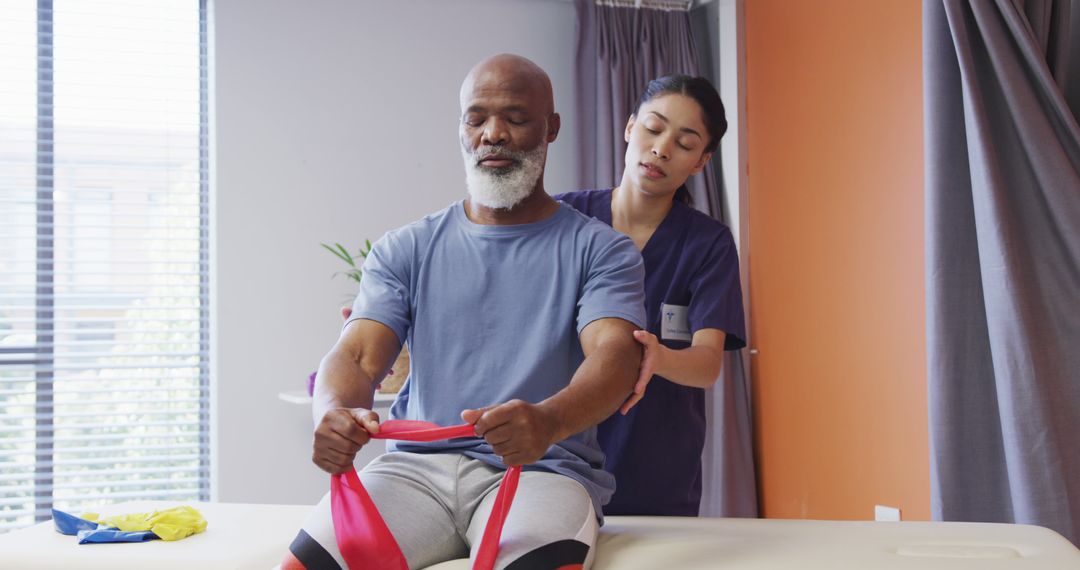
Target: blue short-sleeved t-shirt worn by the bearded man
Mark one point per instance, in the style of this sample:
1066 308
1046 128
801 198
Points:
493 314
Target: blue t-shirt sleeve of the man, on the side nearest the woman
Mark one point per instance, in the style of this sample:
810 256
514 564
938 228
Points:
614 284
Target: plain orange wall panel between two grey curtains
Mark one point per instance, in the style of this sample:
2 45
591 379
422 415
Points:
835 150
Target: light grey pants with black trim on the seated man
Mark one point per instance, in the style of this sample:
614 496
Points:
437 507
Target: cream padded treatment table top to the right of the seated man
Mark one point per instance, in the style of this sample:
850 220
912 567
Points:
676 544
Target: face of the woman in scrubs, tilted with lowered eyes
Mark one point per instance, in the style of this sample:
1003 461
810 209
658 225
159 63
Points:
666 144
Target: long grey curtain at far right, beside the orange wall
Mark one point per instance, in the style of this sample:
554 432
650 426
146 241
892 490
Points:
1003 150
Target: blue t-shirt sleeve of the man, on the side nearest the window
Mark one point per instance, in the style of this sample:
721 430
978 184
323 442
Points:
385 289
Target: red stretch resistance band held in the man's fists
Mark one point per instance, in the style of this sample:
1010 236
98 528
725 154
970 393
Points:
363 537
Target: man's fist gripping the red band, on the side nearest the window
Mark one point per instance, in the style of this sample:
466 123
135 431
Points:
340 437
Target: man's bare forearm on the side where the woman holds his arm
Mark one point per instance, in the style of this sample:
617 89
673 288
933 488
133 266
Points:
601 385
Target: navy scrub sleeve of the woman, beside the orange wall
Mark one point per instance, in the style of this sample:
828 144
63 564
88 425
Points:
717 293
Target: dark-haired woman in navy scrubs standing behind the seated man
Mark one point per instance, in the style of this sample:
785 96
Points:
693 297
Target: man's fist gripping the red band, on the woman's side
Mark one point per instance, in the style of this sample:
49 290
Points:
519 432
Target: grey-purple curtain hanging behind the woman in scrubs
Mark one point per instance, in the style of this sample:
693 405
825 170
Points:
619 51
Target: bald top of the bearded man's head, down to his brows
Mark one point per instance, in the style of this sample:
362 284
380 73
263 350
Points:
510 75
